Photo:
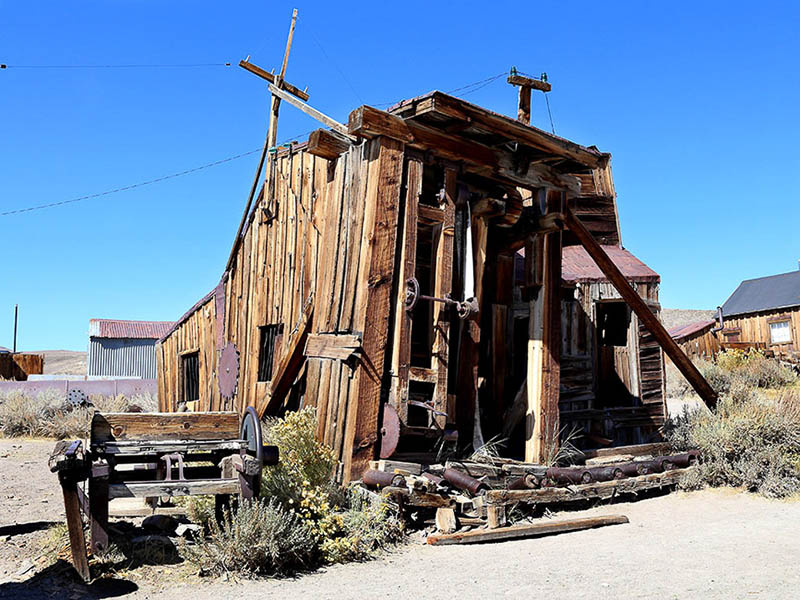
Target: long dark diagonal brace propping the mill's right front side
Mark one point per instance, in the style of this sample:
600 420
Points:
642 310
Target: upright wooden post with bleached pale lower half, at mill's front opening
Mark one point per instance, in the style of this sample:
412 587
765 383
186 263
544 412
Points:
544 347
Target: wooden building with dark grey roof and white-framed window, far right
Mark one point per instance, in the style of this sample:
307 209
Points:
764 312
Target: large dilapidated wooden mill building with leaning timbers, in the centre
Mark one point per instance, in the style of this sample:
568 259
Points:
402 273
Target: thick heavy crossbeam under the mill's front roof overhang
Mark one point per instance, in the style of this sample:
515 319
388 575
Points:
496 163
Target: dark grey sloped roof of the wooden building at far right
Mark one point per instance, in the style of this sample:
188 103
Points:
764 293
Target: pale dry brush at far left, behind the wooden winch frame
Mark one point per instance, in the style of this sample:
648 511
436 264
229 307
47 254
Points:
47 414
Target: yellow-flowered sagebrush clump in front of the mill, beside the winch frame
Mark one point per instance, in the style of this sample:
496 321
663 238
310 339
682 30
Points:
326 524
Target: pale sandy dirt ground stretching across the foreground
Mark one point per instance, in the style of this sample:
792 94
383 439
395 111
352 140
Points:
718 544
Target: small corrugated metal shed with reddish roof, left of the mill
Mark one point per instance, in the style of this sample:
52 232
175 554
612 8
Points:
124 348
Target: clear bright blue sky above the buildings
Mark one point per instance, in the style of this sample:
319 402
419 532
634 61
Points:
696 101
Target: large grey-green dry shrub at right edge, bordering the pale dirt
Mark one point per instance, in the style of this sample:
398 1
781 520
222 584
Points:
751 442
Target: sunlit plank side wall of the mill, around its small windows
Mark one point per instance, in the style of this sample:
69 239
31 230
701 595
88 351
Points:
271 281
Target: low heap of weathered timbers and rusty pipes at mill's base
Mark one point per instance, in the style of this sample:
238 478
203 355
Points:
467 494
